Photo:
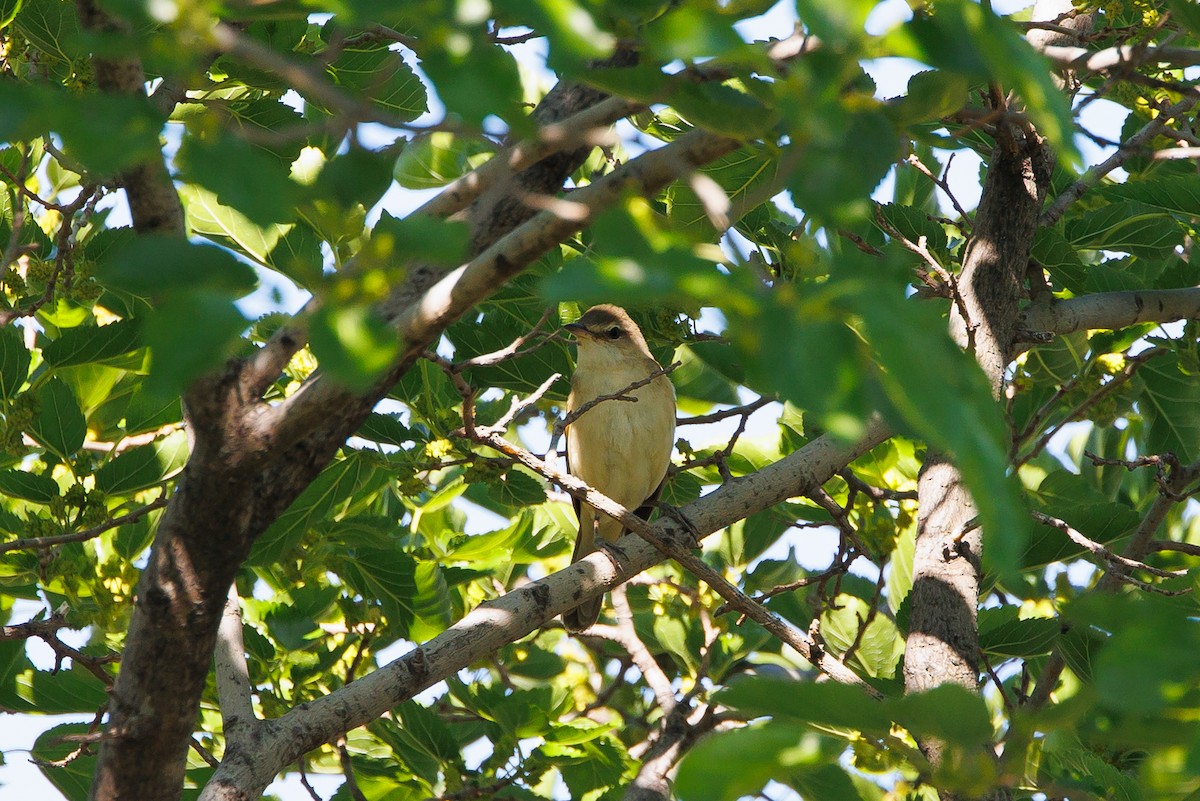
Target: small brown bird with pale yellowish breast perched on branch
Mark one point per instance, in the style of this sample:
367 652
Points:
619 448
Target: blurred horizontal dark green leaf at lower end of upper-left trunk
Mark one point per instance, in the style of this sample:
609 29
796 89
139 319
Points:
151 266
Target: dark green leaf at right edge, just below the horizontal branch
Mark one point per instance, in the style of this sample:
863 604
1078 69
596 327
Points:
1172 402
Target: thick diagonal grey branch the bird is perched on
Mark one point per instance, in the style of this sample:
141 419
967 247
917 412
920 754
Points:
514 616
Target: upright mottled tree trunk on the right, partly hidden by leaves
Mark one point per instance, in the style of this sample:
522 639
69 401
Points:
944 641
